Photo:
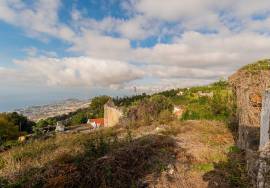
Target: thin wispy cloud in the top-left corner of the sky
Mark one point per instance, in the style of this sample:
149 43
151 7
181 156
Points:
41 17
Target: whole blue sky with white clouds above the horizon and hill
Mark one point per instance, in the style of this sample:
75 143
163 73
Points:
58 49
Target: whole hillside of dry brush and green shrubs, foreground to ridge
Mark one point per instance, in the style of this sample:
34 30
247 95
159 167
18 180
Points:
150 147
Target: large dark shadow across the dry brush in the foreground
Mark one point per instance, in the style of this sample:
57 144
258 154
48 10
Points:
106 163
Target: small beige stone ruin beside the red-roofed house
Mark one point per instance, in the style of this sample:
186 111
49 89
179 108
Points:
112 114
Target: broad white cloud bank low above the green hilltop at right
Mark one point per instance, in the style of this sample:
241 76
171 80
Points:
224 52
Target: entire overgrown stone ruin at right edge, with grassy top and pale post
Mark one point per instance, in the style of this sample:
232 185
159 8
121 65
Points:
251 85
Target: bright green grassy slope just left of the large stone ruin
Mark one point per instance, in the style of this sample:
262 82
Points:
219 107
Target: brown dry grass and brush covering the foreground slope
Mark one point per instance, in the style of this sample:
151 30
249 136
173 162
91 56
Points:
180 154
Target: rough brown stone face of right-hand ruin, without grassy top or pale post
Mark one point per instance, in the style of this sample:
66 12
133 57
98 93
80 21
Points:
249 87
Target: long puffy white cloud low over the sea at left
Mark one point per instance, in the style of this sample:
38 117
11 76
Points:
80 71
